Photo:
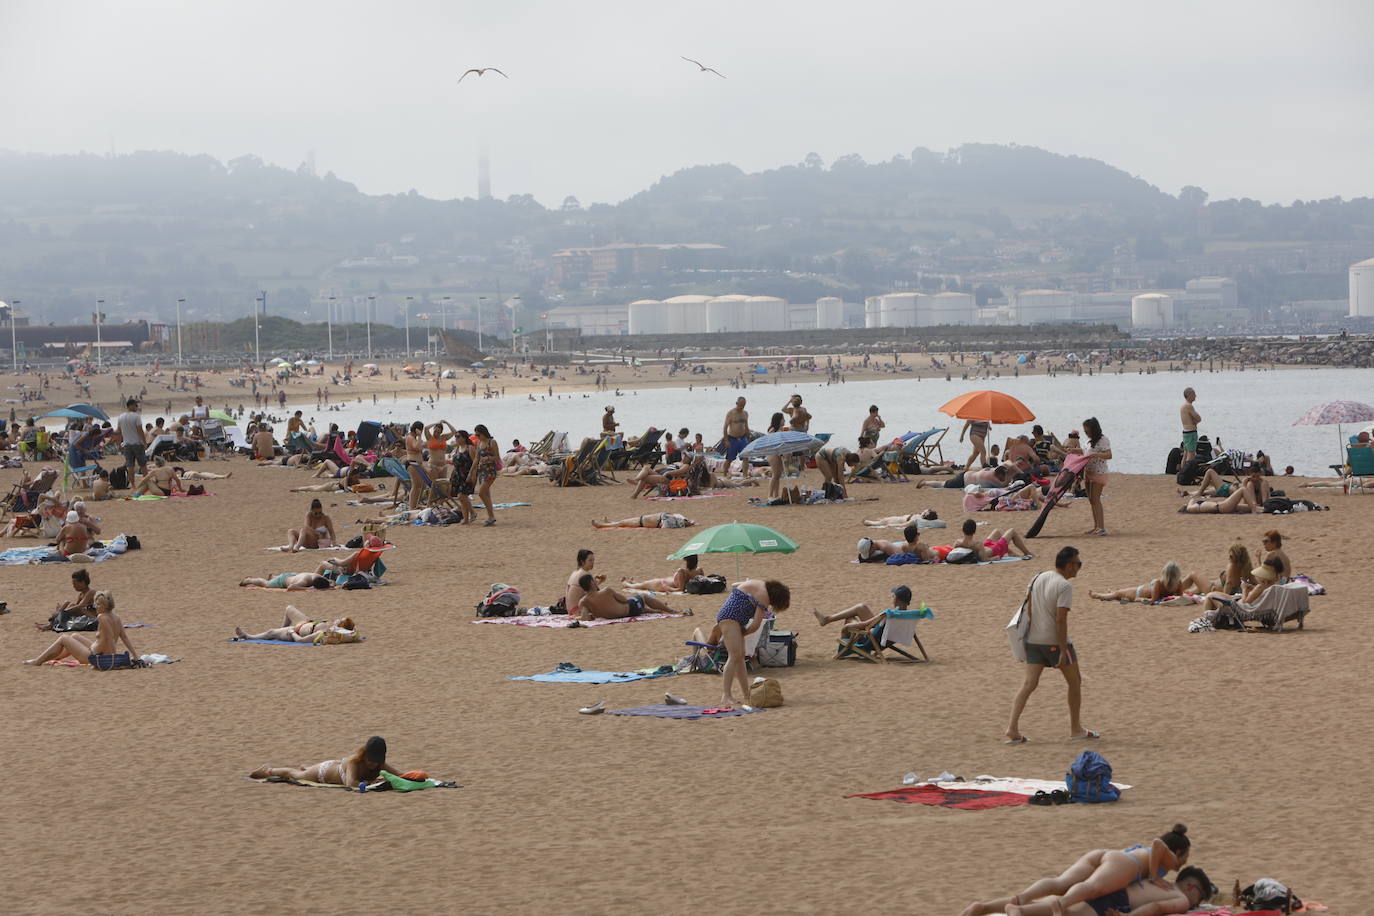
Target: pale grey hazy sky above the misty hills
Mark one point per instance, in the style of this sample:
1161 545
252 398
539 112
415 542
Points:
1263 98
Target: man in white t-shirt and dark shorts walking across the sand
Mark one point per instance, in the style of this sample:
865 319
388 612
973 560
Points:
1049 643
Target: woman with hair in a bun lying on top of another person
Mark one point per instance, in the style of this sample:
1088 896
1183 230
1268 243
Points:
1104 875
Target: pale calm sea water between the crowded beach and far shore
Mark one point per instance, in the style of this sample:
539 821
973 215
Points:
1140 414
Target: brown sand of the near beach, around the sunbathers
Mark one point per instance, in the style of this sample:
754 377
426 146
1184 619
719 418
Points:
127 790
